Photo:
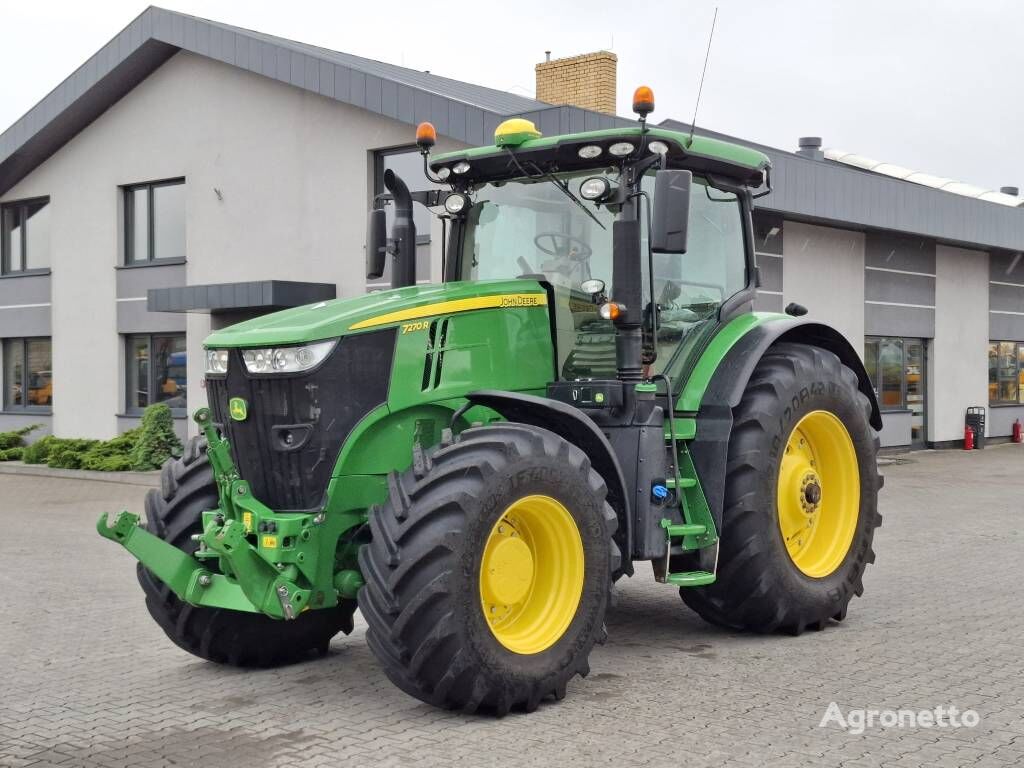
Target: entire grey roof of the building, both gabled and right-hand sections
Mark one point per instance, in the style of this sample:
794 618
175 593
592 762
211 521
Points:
813 190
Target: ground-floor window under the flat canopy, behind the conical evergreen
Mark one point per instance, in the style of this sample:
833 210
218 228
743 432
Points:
157 372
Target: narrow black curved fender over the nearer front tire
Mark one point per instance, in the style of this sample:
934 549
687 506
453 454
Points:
576 428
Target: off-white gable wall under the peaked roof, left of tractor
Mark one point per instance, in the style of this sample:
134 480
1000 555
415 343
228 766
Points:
293 170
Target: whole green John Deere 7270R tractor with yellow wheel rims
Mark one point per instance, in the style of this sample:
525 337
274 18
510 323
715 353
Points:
474 464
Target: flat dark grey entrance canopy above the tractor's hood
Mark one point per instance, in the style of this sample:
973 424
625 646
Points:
221 297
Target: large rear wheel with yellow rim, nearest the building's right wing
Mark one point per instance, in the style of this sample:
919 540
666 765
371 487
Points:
801 503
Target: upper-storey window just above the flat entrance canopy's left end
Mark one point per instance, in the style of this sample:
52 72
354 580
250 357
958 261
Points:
155 222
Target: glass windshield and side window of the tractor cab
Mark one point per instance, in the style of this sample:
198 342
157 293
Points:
531 229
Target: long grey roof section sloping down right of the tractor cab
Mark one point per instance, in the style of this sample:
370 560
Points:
825 191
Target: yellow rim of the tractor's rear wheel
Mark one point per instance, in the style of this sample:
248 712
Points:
819 494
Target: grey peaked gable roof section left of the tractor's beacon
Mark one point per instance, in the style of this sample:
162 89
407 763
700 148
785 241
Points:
462 111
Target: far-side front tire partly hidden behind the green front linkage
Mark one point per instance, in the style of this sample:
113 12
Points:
231 637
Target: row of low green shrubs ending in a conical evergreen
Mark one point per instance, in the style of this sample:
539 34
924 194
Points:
145 448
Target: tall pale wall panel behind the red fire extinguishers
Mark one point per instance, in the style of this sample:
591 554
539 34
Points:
959 357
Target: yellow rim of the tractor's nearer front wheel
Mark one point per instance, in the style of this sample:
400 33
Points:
532 575
